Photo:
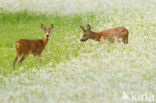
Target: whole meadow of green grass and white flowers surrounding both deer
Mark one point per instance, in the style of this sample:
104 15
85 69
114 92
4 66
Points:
72 71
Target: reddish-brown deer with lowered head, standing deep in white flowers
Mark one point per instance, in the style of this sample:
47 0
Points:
114 34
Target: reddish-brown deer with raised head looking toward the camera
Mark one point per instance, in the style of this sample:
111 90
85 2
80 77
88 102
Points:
34 46
